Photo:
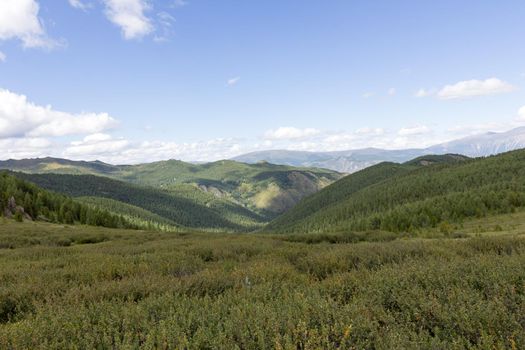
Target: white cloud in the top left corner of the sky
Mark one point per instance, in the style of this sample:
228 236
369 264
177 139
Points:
19 20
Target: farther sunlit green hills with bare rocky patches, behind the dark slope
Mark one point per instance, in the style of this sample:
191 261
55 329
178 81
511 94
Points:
264 188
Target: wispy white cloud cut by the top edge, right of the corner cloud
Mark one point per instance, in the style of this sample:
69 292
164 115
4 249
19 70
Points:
130 16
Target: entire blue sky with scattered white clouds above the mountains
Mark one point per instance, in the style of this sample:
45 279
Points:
130 81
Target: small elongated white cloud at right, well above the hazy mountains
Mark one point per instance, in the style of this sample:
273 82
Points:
471 88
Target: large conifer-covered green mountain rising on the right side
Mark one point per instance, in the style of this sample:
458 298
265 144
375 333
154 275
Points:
426 192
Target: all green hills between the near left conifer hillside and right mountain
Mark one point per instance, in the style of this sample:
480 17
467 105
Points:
219 195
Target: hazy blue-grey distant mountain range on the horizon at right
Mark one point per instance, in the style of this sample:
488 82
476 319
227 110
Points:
354 160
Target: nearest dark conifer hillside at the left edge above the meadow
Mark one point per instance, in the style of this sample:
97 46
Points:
21 201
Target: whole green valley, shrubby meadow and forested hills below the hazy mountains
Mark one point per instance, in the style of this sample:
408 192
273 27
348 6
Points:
418 254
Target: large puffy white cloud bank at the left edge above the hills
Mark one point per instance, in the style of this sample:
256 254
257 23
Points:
21 118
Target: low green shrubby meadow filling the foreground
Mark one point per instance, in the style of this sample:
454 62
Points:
84 287
